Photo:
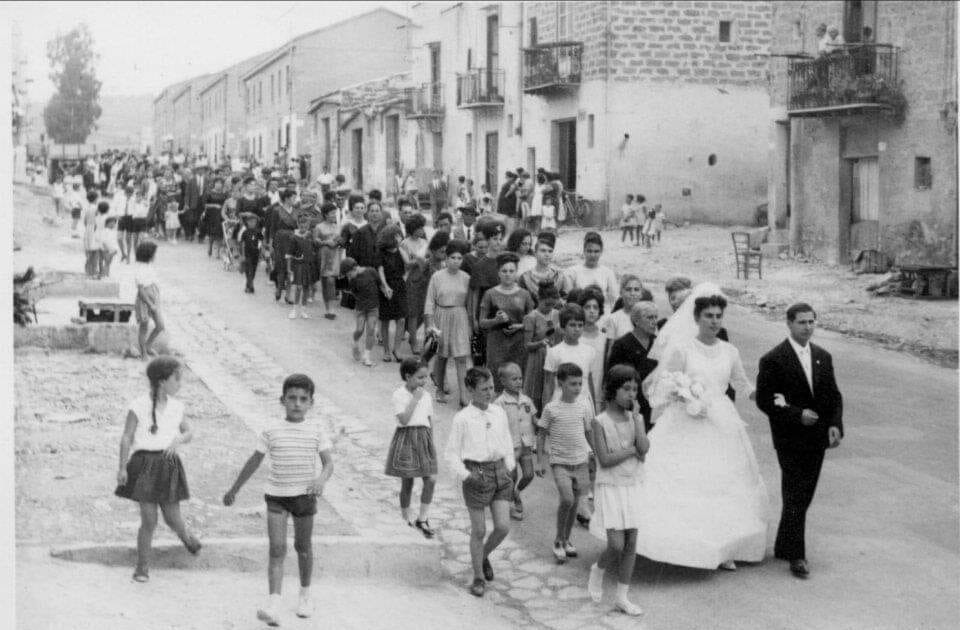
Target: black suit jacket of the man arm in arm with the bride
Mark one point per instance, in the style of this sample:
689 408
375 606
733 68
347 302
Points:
781 373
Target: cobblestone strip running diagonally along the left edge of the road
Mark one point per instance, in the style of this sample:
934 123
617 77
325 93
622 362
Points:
532 589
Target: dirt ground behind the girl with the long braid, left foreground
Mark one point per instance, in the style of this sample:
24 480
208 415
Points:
68 432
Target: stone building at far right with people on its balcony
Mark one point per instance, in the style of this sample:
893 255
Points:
864 142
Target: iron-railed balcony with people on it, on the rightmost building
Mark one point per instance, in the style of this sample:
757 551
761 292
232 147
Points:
858 79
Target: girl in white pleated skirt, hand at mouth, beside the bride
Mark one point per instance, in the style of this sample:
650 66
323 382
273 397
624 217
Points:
620 443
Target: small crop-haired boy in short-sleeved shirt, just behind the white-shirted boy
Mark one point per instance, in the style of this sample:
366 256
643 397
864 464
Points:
520 410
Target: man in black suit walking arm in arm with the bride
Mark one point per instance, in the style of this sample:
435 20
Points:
797 390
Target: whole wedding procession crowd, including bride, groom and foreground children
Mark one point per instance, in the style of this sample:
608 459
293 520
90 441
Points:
566 369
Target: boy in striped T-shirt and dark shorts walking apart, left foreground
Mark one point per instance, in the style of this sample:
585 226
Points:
293 485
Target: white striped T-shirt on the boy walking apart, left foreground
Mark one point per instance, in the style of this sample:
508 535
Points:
293 448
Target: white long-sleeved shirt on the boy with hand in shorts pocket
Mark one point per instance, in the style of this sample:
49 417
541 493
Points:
480 435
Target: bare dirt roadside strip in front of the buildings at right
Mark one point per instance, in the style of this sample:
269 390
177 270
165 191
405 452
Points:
927 328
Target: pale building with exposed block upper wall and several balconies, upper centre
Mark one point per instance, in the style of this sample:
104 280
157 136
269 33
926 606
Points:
667 99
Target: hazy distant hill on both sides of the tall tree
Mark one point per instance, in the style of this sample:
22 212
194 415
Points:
119 126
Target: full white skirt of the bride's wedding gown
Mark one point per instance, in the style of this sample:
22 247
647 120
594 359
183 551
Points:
703 501
